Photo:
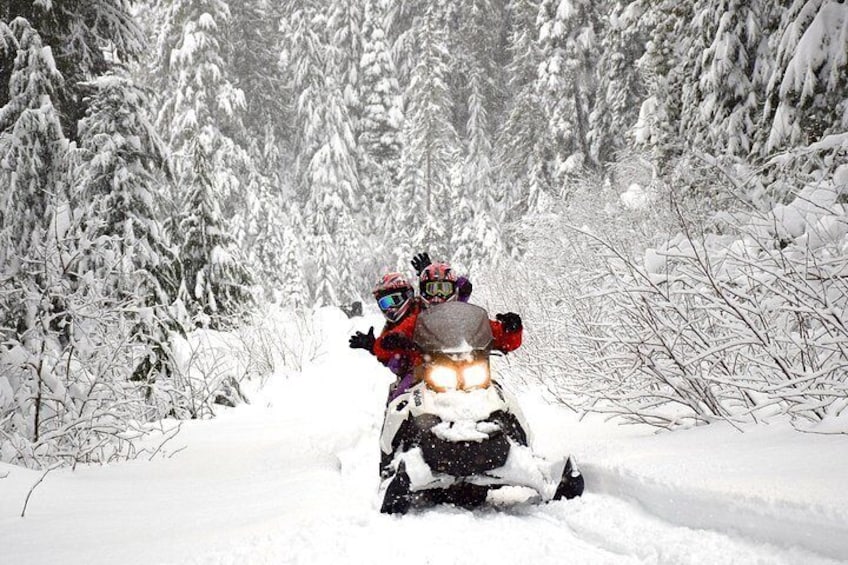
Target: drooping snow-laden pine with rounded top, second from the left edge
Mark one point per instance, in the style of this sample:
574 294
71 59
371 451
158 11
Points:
121 167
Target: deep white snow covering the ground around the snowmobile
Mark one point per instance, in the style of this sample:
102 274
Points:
292 478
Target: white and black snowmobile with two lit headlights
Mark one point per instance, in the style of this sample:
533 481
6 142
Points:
456 434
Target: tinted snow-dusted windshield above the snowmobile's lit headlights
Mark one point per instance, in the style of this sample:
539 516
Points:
453 327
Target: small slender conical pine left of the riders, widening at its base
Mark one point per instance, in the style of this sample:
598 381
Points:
218 289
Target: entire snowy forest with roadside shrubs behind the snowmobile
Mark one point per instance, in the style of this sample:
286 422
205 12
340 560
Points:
658 187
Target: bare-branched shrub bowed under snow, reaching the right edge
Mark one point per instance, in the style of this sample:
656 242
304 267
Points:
736 326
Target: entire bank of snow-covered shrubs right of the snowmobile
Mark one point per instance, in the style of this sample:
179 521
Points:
643 312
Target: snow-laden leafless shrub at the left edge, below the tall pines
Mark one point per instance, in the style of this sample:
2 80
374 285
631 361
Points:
64 370
